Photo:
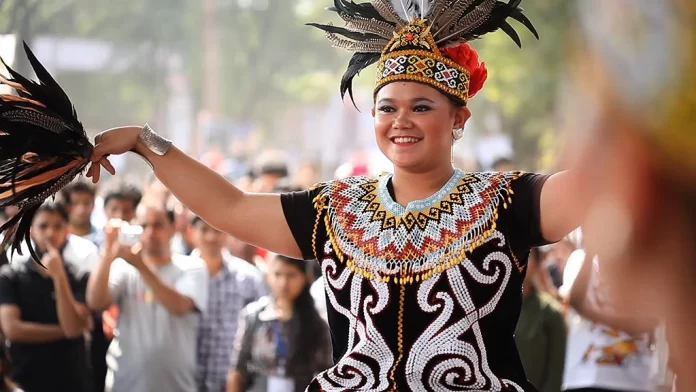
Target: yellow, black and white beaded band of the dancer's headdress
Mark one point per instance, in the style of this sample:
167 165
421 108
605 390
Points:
414 56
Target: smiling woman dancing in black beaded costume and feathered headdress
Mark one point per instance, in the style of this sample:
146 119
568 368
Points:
423 267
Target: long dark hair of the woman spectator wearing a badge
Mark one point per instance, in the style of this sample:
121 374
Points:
311 325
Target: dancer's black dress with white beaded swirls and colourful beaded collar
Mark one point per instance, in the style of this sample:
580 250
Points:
425 297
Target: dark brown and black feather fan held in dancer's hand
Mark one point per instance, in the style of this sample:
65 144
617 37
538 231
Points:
43 146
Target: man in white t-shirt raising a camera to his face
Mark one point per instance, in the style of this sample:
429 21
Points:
160 296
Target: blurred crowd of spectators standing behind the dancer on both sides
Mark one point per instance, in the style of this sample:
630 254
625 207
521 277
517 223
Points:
202 311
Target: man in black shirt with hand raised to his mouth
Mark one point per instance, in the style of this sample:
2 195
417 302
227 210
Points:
42 311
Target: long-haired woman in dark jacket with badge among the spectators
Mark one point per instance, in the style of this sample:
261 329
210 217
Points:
282 342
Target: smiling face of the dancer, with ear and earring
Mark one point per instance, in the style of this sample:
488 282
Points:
414 123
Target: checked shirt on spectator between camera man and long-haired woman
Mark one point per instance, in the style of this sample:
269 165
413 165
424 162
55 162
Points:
235 286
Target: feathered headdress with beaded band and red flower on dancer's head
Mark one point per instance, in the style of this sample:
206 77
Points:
421 40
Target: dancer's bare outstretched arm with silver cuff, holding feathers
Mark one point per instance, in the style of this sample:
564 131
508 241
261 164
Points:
257 219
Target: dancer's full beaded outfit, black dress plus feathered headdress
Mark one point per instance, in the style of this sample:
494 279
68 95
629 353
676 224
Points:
426 296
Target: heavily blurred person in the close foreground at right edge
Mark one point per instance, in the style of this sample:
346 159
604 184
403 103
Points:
635 100
